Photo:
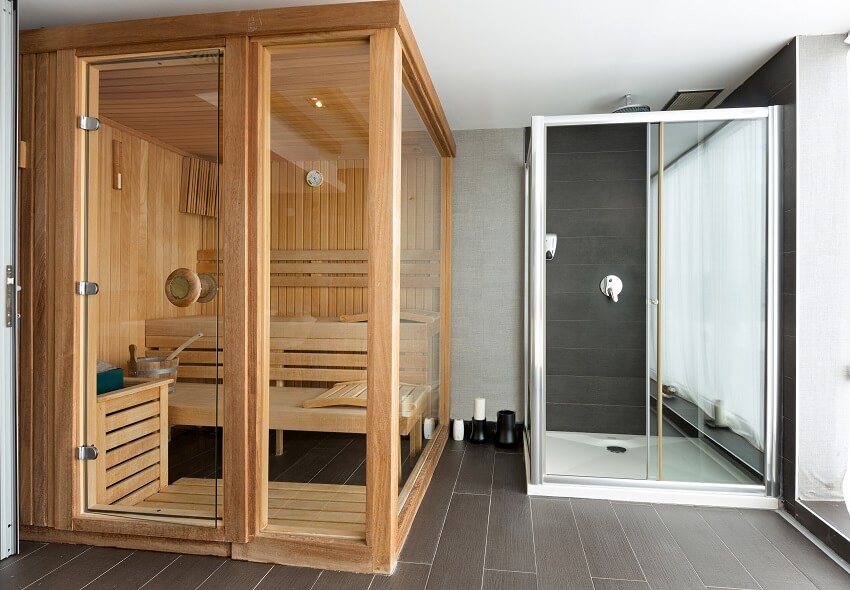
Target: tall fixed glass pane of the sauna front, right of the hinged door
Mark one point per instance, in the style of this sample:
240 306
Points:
317 316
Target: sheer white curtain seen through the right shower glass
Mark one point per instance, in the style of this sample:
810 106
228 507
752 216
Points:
713 300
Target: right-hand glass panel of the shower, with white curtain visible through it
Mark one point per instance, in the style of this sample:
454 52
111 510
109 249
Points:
708 219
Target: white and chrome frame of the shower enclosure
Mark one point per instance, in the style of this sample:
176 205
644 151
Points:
539 481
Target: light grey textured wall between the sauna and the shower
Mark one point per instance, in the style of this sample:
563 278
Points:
487 271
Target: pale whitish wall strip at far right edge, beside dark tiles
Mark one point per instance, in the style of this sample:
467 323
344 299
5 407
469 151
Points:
823 266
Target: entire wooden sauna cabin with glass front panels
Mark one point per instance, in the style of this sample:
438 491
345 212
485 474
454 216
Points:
258 204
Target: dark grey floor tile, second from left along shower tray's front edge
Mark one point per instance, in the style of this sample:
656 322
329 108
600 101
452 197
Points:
609 554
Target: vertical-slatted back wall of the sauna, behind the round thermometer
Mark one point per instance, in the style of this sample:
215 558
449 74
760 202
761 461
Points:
332 217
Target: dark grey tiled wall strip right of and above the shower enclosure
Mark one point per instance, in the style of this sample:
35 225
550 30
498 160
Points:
775 83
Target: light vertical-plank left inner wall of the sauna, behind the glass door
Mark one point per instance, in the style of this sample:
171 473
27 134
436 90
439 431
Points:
142 237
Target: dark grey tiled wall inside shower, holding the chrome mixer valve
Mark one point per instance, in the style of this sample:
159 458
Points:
596 349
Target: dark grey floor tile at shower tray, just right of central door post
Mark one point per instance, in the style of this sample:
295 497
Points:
712 560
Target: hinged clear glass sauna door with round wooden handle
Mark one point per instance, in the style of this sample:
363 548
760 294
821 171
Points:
153 354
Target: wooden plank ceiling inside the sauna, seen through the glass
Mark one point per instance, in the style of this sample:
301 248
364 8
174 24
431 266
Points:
175 102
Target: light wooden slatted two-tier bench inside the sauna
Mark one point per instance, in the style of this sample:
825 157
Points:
307 356
